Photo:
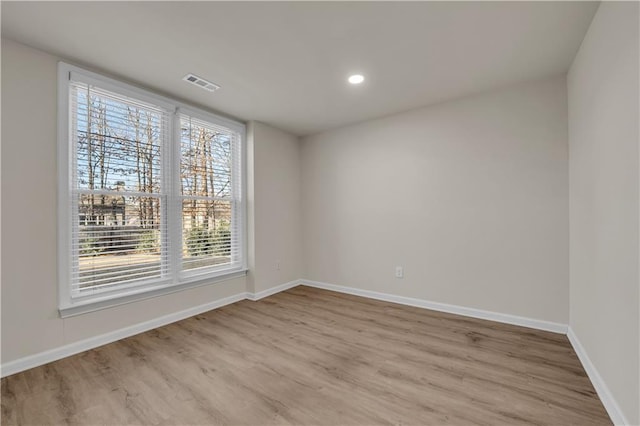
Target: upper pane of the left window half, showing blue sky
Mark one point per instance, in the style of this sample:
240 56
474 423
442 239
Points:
117 142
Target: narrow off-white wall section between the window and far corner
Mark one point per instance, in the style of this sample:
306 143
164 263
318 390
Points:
275 209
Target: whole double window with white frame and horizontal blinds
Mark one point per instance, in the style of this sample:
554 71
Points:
151 194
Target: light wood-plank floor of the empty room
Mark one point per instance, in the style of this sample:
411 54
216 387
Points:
314 357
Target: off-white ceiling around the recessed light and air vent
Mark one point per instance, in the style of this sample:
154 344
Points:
286 63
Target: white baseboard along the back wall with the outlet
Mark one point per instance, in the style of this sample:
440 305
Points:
443 307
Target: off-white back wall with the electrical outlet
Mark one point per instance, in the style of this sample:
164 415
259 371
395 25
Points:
469 196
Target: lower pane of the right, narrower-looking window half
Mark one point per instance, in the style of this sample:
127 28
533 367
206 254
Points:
206 233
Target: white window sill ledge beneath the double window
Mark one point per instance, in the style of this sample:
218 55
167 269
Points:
83 307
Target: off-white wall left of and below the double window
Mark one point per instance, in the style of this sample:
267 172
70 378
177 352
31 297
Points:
30 321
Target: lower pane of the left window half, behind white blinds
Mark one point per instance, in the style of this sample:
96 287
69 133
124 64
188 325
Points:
118 240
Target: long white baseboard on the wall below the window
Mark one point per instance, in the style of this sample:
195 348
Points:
45 357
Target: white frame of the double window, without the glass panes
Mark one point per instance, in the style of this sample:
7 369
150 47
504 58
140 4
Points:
70 305
